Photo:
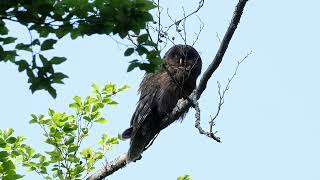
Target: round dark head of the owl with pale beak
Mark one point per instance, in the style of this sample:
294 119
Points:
185 57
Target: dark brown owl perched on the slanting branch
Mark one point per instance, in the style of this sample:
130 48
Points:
159 94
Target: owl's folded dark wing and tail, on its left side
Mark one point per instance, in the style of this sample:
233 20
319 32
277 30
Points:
144 122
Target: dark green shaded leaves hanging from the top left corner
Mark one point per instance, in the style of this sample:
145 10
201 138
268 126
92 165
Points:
47 21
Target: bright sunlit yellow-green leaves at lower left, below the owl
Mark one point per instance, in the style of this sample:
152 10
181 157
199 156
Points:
64 133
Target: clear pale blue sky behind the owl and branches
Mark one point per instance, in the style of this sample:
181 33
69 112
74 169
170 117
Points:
269 124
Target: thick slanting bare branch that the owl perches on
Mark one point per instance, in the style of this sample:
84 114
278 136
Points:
183 105
